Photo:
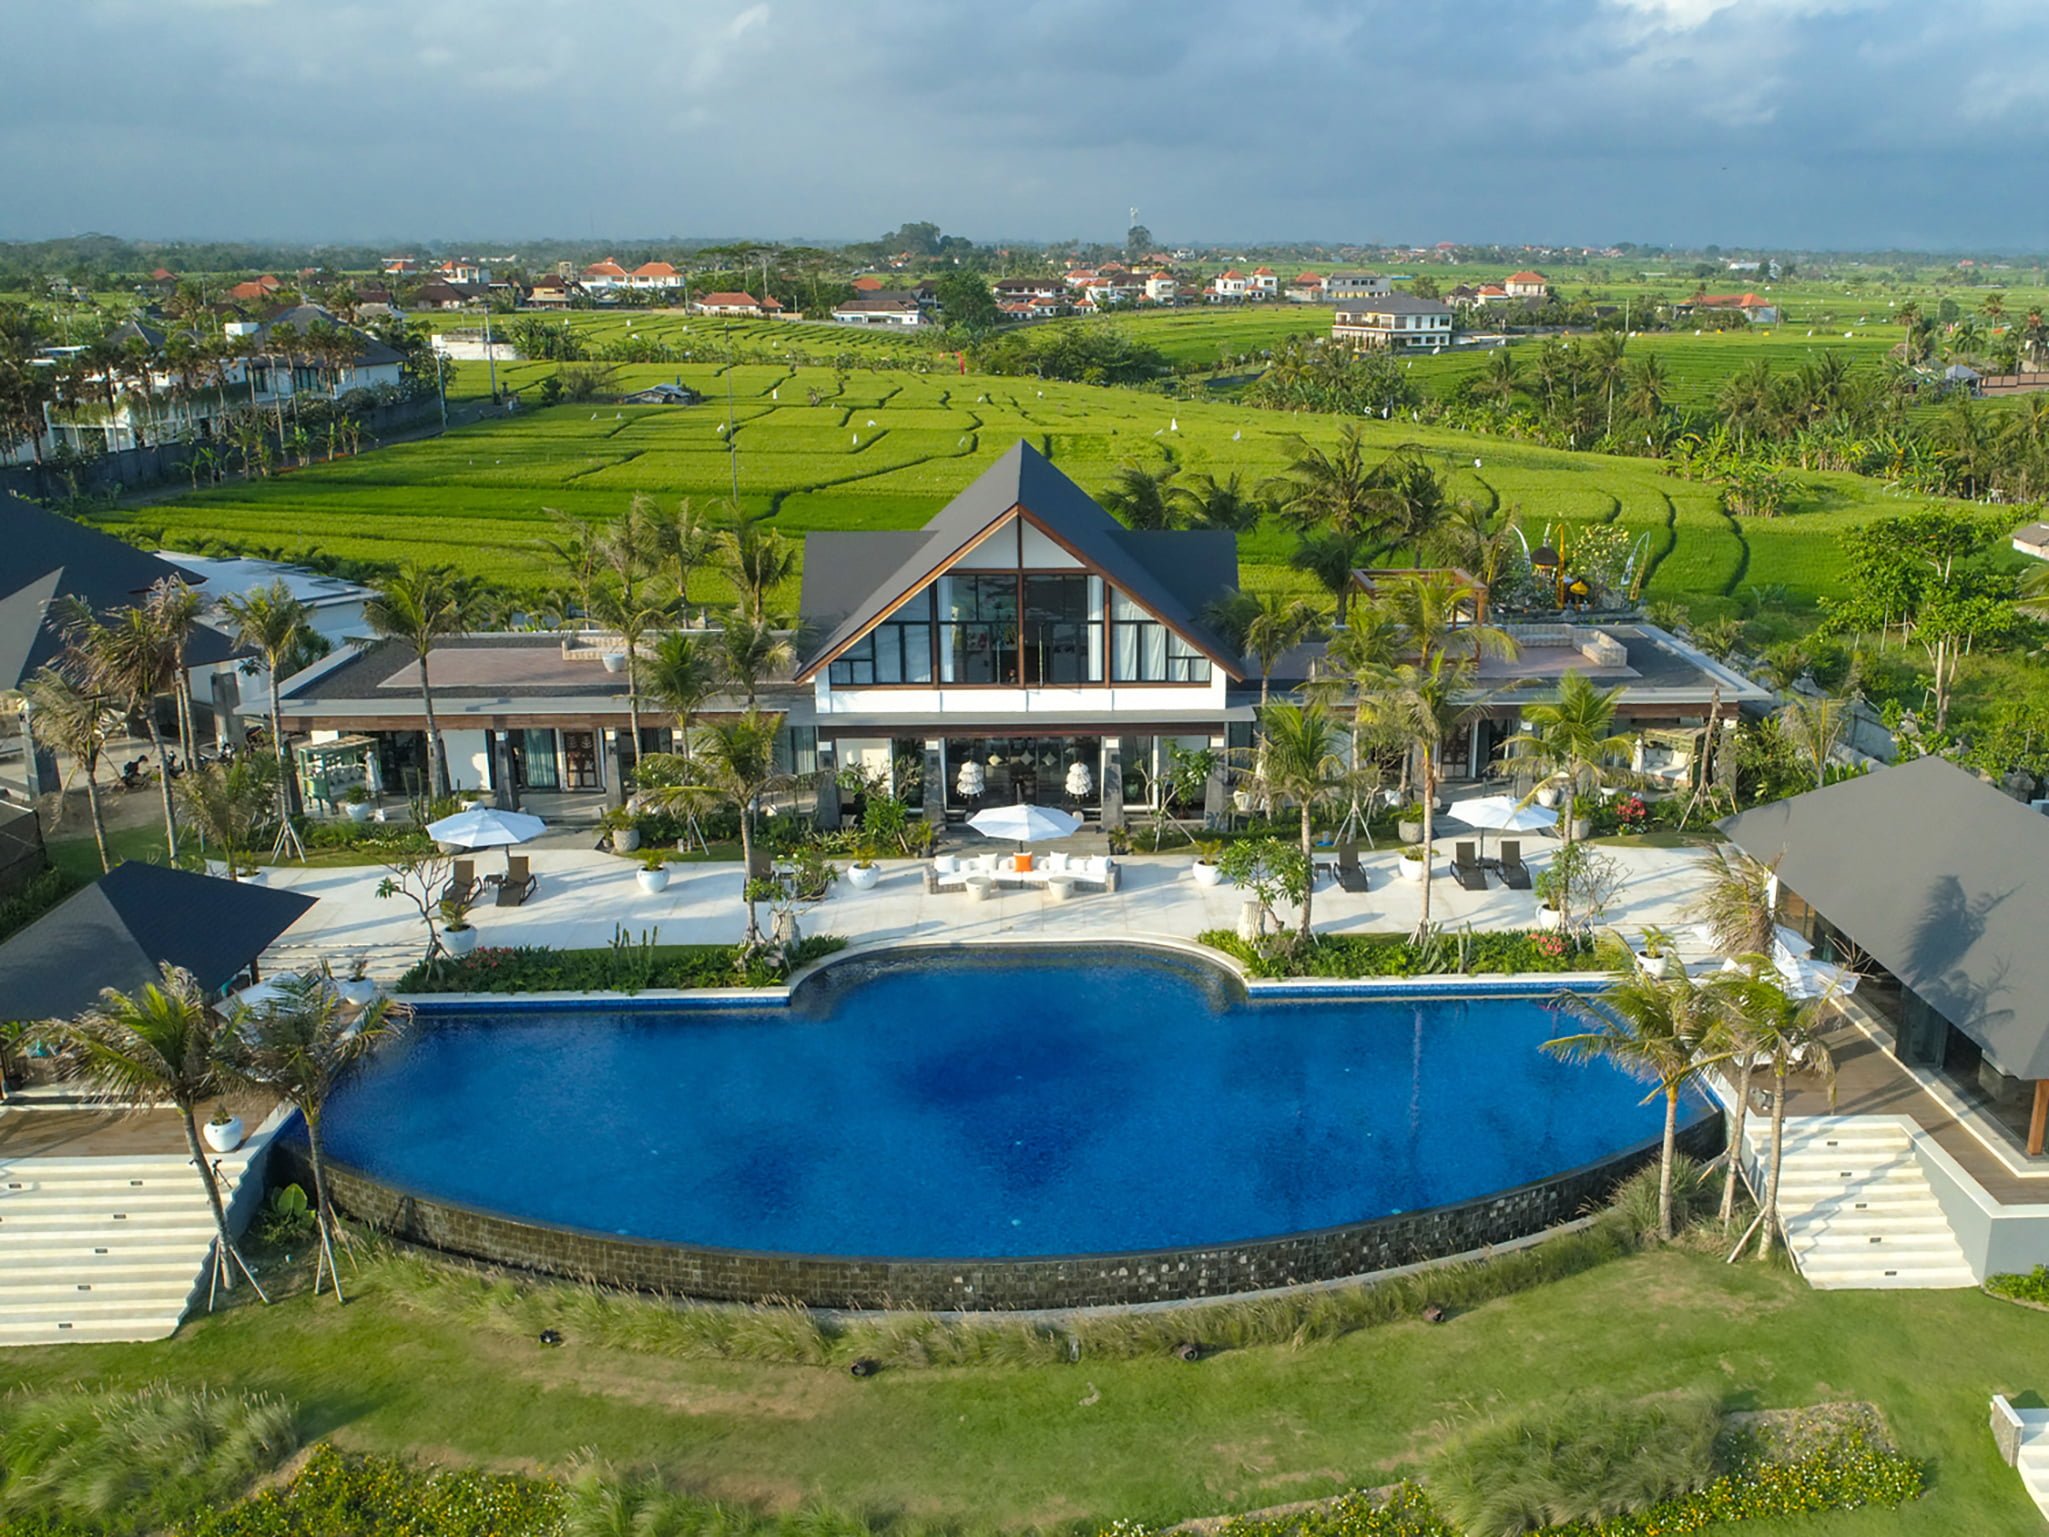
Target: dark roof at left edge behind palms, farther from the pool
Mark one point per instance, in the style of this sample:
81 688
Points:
44 558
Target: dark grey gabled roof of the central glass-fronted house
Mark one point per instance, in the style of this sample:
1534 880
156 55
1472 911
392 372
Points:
855 581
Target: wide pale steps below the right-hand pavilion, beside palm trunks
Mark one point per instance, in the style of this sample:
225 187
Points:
1857 1208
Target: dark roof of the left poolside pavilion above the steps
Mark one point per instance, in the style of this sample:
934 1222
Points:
124 927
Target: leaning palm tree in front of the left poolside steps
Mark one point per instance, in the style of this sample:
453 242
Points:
161 1044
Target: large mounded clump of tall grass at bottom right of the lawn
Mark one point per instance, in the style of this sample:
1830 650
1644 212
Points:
1583 1458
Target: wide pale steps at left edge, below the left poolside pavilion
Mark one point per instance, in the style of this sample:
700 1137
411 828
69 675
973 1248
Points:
103 1249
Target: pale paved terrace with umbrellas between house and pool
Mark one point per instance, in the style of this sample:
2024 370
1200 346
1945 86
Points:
585 897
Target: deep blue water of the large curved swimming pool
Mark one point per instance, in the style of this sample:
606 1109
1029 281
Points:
985 1106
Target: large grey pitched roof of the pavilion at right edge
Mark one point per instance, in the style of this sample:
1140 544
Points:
1939 878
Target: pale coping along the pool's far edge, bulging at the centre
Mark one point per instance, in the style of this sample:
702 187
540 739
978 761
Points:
1495 985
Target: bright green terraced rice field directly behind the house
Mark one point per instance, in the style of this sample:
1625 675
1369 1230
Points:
886 450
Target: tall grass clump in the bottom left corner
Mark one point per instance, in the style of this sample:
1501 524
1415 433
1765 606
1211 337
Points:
128 1462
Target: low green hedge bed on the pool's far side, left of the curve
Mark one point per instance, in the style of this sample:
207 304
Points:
618 968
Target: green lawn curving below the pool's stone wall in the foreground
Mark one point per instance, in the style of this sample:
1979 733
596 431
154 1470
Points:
1146 1440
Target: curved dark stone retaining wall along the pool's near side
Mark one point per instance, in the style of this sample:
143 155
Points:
1013 1284
